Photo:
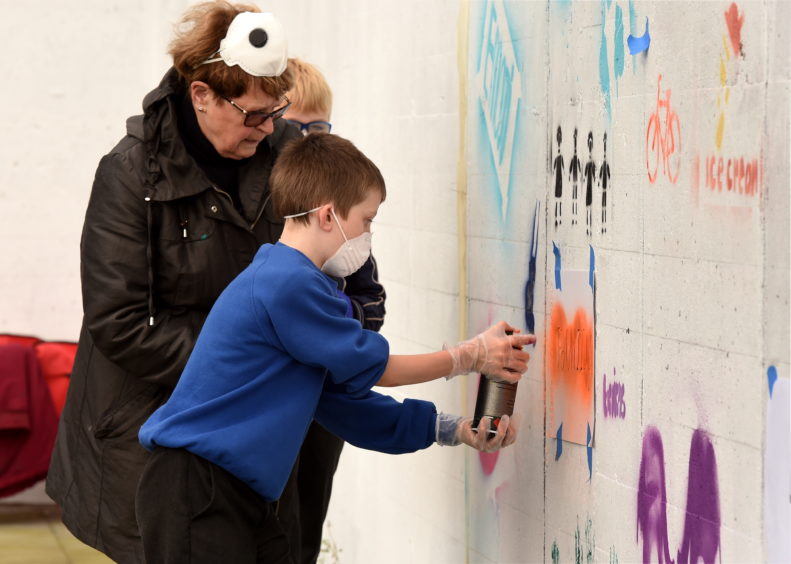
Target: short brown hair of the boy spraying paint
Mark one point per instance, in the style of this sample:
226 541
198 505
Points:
322 168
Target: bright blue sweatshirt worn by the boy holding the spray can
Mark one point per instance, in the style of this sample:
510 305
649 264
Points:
276 351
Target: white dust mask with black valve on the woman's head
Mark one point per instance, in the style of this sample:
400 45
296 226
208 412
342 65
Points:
256 41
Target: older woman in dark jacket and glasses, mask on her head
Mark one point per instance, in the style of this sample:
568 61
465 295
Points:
178 208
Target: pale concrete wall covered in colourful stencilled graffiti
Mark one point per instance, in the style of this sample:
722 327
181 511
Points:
691 277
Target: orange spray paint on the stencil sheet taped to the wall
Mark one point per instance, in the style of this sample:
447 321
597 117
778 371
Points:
570 369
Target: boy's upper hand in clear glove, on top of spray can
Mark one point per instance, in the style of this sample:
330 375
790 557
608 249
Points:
493 353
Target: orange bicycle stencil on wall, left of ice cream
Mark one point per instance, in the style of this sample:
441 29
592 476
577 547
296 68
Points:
663 139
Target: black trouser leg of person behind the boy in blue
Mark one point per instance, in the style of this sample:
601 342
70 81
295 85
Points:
306 497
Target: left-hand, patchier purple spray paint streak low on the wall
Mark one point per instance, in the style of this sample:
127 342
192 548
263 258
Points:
652 498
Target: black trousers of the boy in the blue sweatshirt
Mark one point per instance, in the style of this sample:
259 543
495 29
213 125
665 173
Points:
191 511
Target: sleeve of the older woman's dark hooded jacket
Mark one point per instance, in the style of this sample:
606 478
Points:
115 281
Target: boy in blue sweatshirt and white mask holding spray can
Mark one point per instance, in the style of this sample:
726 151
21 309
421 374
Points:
278 351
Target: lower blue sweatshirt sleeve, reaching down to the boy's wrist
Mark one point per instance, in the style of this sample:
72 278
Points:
377 422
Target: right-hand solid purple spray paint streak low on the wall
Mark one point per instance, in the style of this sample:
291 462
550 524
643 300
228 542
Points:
702 524
